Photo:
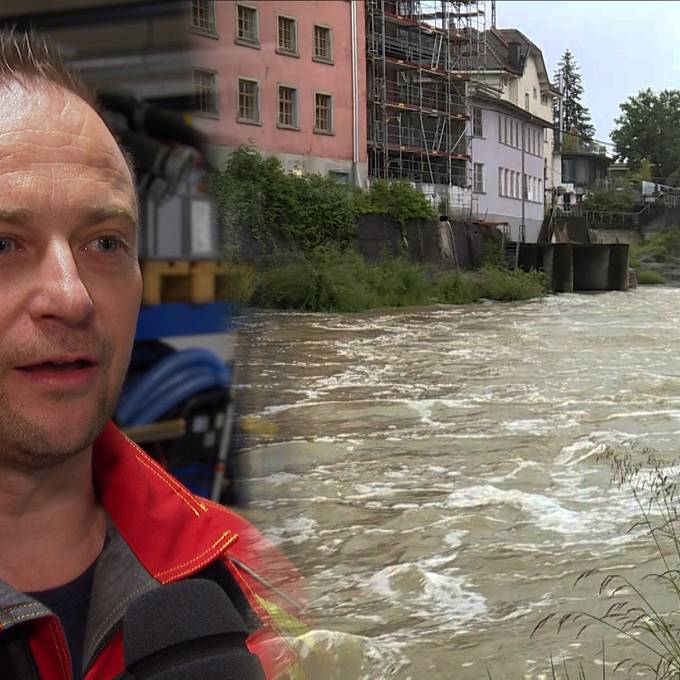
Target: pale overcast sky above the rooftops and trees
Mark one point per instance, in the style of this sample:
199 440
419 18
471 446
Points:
621 47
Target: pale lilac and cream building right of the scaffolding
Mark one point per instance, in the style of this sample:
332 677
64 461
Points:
516 162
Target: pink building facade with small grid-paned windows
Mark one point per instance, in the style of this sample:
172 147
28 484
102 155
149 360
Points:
285 77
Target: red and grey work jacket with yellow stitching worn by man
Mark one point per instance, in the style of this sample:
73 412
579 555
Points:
159 532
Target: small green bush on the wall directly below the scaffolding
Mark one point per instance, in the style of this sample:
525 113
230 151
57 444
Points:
396 198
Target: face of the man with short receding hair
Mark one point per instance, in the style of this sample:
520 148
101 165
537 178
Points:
70 283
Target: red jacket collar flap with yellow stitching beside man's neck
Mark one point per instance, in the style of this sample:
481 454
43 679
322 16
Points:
172 532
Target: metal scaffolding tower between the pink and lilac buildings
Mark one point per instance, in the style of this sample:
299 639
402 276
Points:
421 57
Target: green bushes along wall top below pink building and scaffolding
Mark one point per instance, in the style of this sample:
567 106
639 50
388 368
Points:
259 203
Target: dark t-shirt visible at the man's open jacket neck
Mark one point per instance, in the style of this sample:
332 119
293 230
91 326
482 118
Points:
70 603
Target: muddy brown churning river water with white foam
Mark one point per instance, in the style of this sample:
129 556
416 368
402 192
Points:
441 475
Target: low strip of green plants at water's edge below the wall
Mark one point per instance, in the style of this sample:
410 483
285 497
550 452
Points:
332 281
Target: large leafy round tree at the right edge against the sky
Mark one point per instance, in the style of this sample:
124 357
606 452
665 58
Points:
649 129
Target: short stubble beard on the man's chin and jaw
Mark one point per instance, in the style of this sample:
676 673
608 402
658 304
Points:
33 443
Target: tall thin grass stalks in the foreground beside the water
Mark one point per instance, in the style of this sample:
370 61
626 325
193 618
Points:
644 611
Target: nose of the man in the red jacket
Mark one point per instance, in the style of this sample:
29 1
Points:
61 293
